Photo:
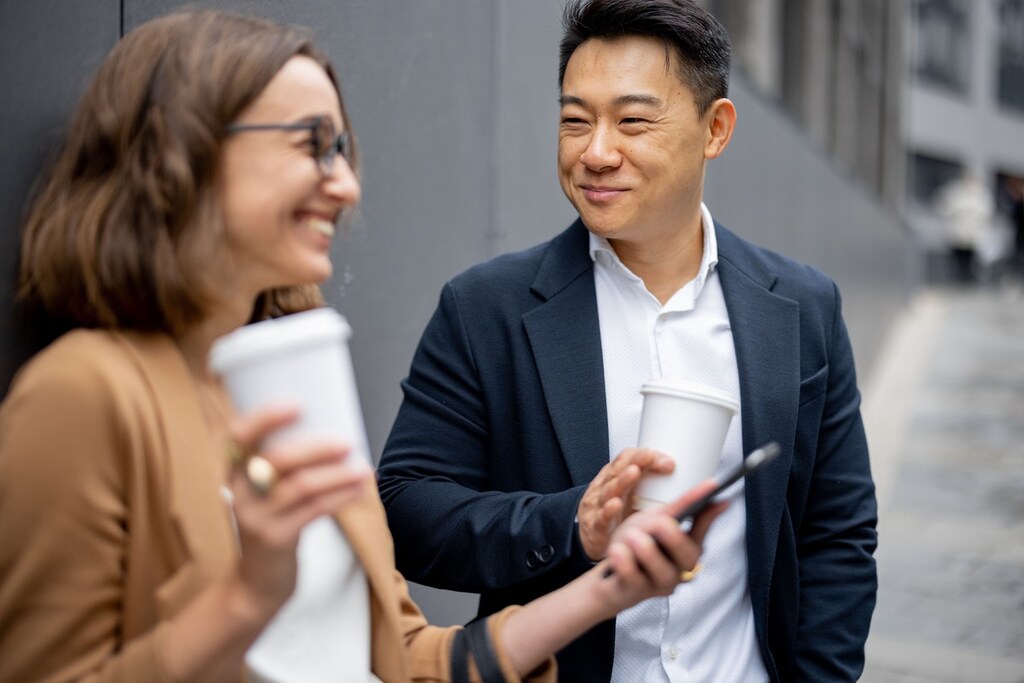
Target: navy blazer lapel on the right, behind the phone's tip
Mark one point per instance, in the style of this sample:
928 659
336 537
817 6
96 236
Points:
766 335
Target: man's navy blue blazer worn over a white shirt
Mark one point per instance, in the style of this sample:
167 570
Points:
504 423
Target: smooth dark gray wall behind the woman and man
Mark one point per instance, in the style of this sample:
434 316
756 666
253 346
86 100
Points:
455 106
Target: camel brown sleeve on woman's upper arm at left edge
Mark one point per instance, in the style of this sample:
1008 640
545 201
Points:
64 513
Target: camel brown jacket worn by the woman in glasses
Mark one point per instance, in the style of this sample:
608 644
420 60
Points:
112 521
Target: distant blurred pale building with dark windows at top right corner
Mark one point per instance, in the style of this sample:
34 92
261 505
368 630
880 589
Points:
965 107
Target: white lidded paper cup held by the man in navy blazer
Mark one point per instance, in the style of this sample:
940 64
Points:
689 422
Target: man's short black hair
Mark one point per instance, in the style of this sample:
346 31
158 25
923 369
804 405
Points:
697 37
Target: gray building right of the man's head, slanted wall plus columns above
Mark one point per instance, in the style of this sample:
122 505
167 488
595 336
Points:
817 169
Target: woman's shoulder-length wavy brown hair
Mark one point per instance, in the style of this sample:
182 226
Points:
123 231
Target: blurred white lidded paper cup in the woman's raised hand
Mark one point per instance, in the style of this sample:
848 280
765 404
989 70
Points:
301 360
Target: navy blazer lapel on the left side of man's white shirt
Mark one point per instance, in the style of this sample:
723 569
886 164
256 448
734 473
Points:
566 338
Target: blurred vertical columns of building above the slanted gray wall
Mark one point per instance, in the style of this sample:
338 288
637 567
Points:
837 68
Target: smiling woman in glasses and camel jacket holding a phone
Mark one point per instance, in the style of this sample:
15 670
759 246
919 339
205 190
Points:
199 189
